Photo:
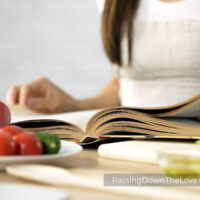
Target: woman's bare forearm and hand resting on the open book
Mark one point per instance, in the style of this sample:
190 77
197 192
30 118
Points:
43 96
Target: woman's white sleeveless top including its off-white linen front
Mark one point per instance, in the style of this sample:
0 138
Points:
165 56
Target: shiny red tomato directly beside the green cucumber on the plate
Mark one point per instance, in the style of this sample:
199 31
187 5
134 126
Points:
28 144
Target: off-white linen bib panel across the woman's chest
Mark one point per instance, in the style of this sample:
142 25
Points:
166 49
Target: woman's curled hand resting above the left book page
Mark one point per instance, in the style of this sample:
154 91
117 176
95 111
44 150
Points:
41 95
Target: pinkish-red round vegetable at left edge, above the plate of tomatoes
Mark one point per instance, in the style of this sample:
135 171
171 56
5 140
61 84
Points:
4 115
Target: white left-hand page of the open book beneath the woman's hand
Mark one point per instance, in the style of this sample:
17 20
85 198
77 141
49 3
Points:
79 118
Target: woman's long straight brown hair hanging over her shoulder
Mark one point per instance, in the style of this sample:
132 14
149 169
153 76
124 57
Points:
117 15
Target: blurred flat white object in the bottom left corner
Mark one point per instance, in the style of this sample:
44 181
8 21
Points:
30 192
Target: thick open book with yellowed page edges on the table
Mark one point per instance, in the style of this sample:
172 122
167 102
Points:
179 121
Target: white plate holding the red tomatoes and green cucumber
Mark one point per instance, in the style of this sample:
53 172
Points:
67 149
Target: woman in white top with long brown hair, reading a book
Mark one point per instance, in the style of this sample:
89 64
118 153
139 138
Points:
154 48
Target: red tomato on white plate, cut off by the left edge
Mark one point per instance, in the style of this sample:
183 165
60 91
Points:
7 145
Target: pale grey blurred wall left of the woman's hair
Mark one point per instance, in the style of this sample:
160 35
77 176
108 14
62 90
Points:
59 39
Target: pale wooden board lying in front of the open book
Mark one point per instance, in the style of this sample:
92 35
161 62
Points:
139 151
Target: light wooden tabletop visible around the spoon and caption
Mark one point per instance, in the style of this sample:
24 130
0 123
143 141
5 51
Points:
90 164
